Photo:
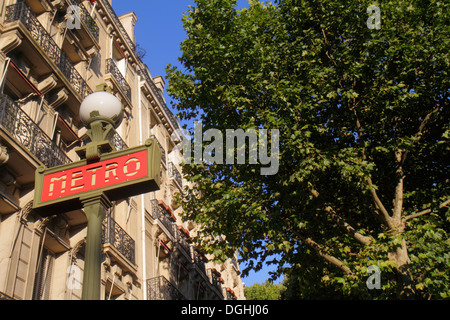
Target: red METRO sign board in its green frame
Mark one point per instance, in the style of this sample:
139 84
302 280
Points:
118 175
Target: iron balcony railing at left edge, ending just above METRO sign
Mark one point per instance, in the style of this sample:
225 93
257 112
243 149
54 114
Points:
25 131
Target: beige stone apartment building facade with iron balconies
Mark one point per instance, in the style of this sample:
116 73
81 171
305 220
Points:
53 53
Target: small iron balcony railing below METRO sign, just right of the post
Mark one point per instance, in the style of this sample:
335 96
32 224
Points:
119 239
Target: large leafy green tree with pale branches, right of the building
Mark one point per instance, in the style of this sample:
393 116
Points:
364 141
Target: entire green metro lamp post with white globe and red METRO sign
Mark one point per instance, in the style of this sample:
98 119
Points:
101 176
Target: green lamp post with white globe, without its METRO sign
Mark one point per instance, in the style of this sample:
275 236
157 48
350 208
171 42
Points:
101 112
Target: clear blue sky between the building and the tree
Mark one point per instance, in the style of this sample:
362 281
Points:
159 31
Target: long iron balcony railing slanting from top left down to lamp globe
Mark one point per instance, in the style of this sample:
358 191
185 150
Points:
21 12
